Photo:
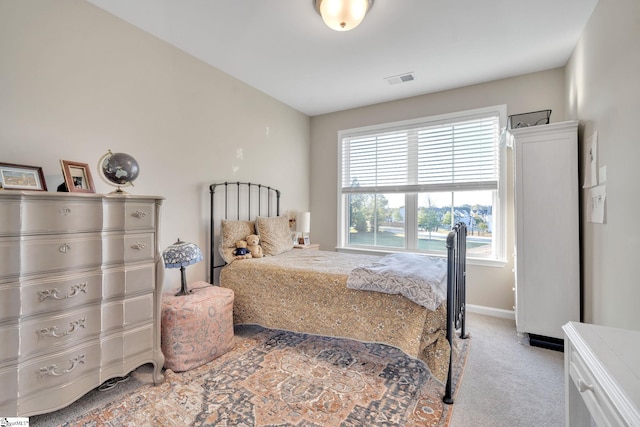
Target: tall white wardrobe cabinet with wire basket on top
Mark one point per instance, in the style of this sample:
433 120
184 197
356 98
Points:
547 258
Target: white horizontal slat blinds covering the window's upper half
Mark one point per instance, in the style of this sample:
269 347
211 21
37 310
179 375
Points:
457 154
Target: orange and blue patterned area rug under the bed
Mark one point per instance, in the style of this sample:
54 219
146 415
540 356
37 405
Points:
278 378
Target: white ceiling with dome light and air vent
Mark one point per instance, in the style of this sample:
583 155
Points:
282 47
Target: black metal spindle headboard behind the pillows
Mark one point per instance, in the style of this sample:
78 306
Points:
240 201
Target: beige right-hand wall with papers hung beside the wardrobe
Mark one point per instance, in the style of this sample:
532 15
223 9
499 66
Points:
603 92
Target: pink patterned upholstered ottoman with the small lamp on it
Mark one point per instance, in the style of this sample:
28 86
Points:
196 328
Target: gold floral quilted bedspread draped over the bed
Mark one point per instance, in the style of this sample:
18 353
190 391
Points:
306 291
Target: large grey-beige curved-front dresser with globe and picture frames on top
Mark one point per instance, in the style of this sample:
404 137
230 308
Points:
80 288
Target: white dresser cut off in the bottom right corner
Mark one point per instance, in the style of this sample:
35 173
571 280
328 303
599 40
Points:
602 376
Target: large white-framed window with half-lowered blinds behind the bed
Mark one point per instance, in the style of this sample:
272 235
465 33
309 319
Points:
403 185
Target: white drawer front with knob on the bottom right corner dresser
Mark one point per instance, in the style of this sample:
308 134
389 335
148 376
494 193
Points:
600 407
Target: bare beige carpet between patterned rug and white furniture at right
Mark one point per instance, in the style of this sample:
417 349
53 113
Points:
507 384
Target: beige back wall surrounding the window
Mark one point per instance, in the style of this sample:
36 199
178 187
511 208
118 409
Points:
487 286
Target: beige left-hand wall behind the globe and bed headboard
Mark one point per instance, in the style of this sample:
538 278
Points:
76 81
